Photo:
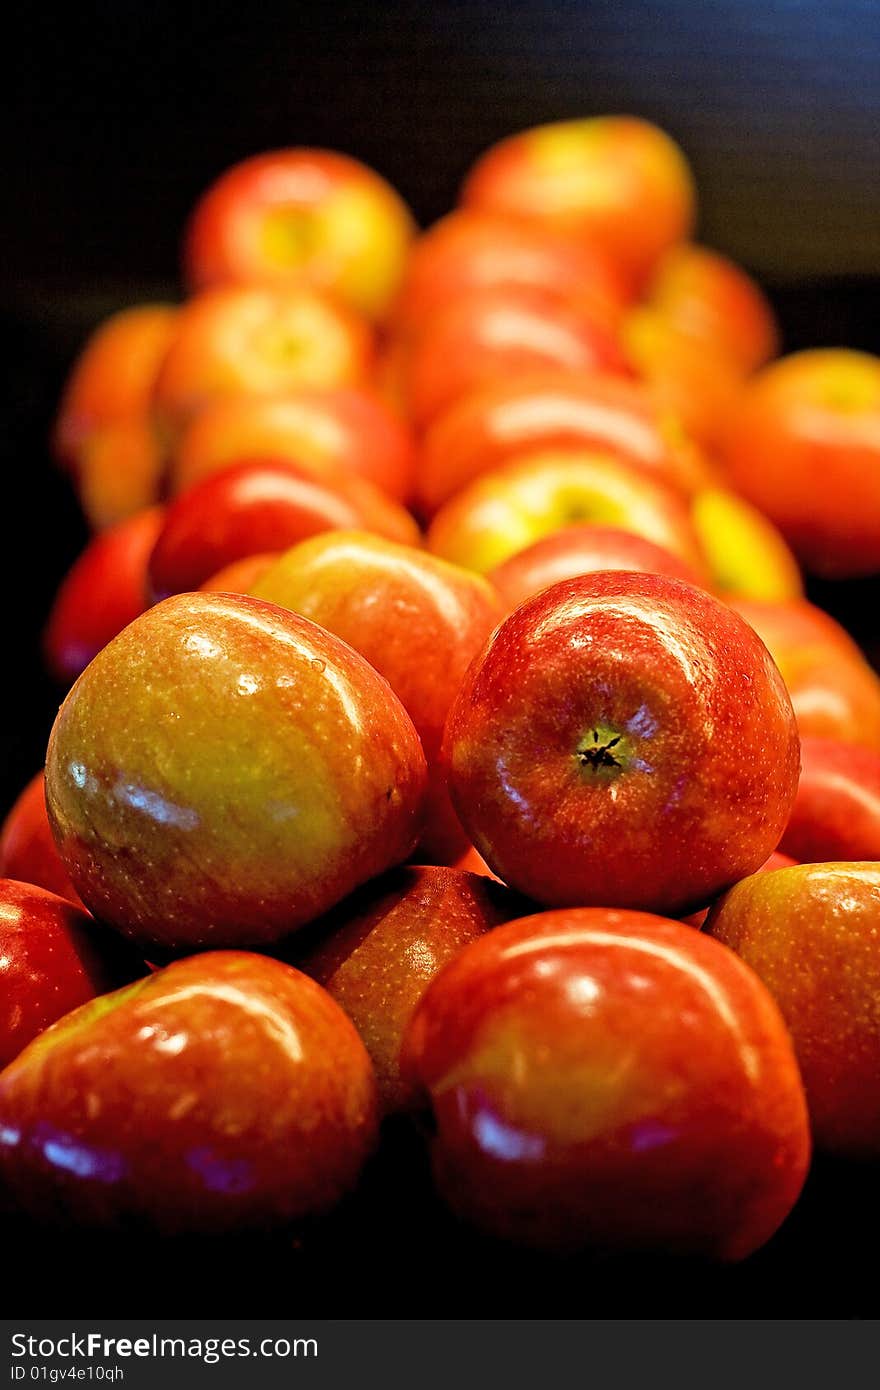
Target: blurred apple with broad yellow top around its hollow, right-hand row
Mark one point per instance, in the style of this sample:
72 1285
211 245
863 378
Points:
540 494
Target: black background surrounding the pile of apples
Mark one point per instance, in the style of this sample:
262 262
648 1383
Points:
117 115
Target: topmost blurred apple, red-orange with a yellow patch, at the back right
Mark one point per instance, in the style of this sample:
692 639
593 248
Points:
615 181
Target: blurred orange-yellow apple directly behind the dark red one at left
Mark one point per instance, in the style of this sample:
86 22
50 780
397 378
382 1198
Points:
332 432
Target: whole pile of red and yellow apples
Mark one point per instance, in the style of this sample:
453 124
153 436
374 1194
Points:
425 753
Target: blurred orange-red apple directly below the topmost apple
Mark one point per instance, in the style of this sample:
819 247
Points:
471 252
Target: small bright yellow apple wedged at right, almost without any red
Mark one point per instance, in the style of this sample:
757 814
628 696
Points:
746 554
